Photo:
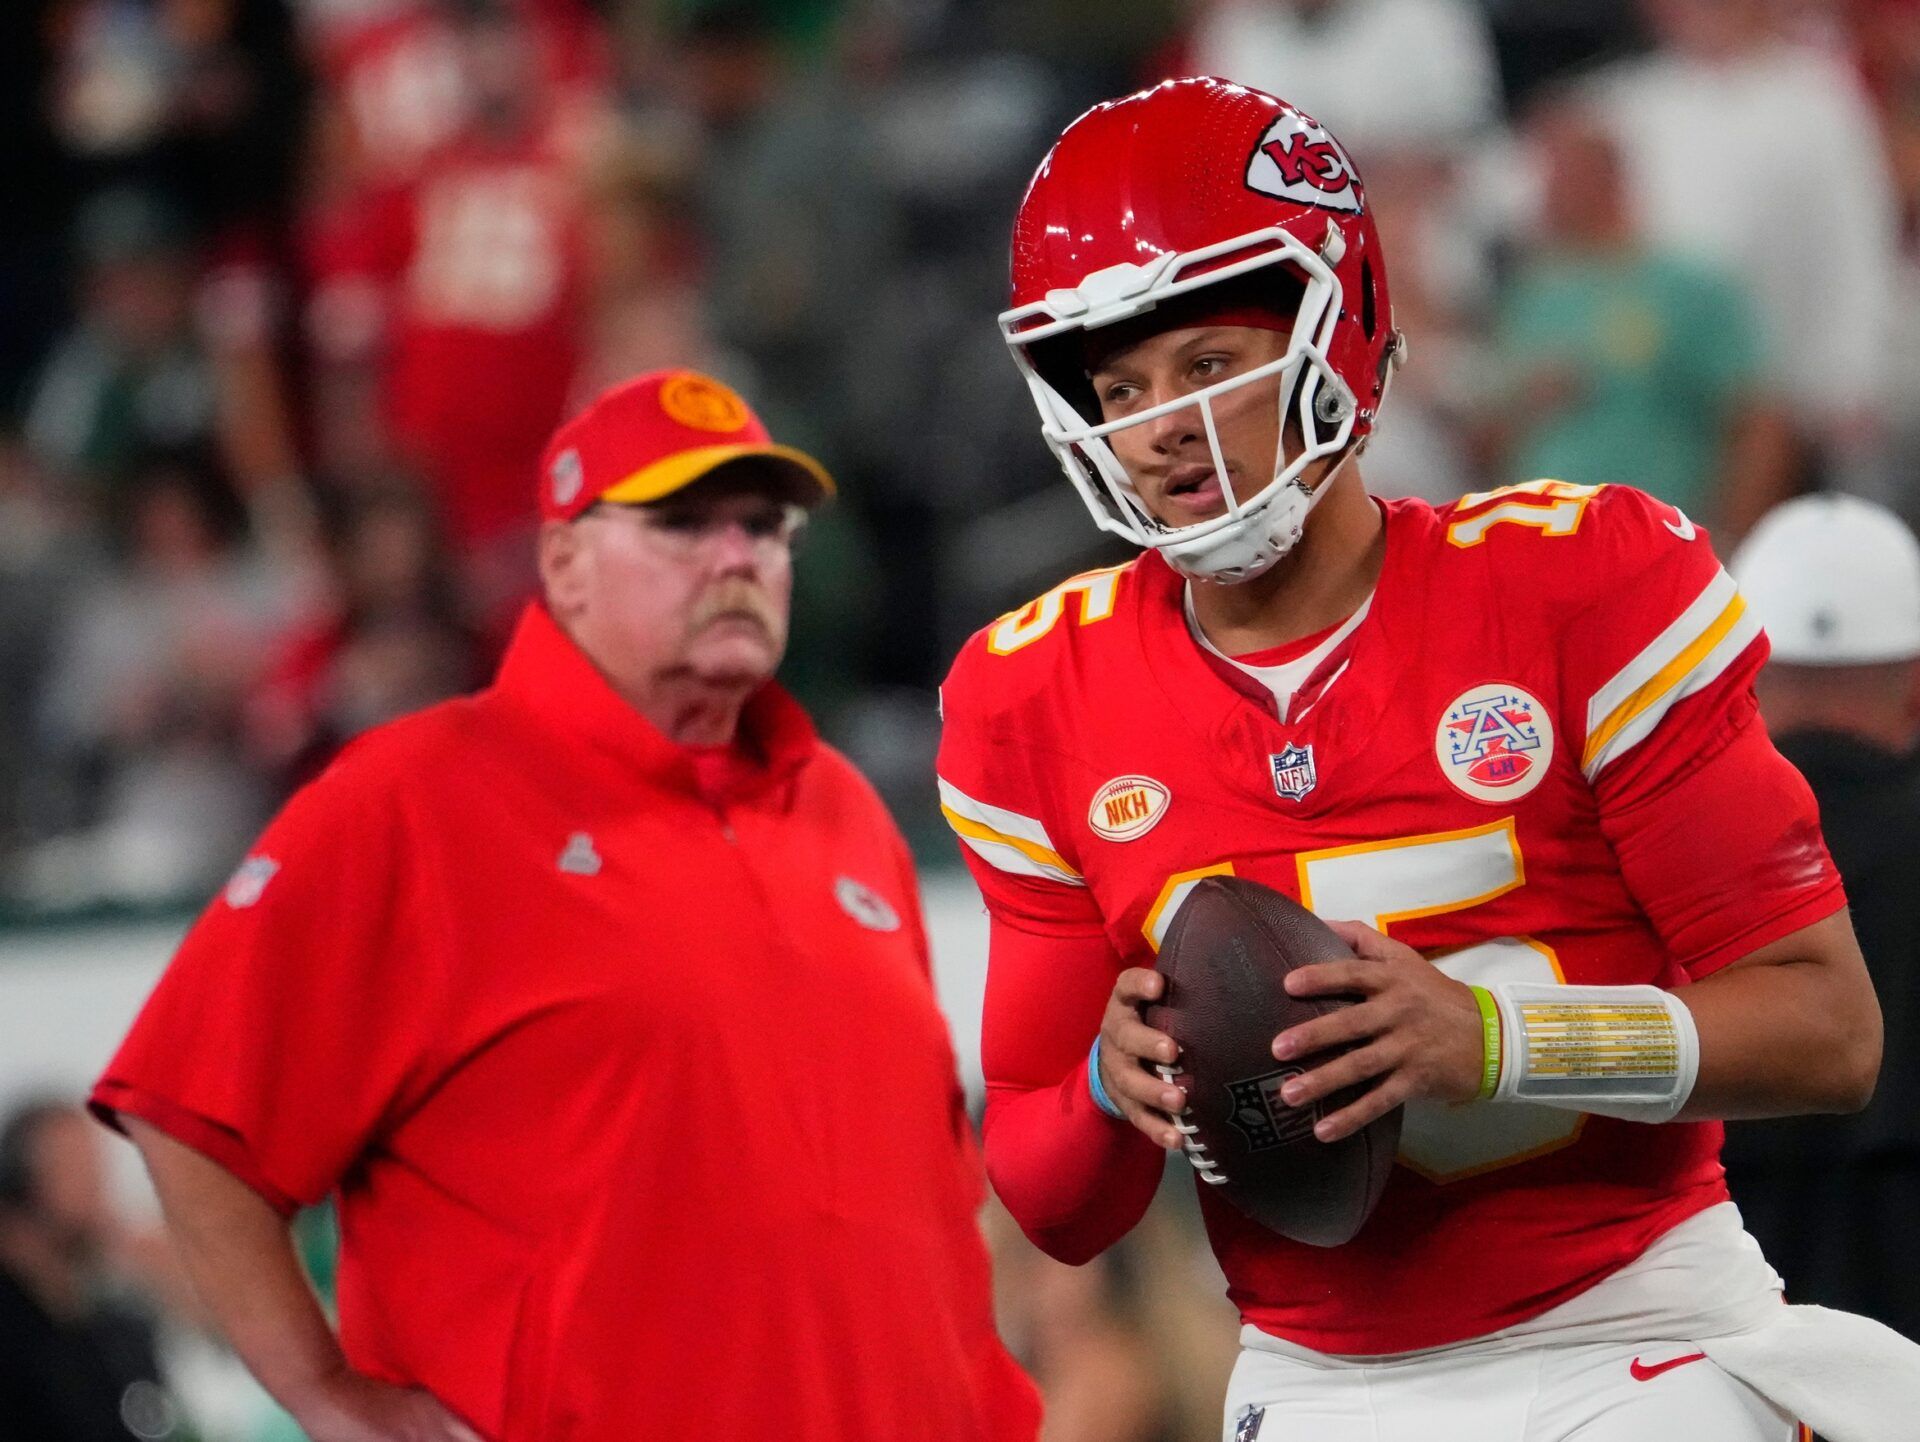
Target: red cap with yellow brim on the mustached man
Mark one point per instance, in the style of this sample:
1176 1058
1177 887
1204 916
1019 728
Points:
650 437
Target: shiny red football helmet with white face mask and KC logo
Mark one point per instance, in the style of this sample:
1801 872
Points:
1189 185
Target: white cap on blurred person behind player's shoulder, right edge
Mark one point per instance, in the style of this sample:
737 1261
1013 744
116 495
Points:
1835 581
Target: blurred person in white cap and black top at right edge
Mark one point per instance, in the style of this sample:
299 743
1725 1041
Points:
1836 583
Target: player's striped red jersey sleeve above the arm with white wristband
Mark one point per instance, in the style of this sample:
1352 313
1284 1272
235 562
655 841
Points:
1716 832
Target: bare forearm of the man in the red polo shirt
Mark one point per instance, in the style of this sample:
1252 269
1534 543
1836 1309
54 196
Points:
241 1261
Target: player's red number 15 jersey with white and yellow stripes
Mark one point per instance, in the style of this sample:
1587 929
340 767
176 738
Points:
1535 757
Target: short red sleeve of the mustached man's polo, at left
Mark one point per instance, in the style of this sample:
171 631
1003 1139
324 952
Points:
293 1024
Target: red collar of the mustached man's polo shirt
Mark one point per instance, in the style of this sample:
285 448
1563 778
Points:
546 675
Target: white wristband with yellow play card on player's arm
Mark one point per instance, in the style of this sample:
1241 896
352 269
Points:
1629 1053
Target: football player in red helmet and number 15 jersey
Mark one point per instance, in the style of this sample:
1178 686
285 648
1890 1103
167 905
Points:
1510 744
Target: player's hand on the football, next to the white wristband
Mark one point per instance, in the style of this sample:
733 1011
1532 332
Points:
1414 1034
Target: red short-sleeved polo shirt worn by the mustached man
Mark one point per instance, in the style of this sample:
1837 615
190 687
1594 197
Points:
625 1069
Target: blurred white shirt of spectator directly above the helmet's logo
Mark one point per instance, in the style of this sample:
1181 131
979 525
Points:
1387 76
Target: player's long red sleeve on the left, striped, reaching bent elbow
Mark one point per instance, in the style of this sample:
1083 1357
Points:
1074 1178
